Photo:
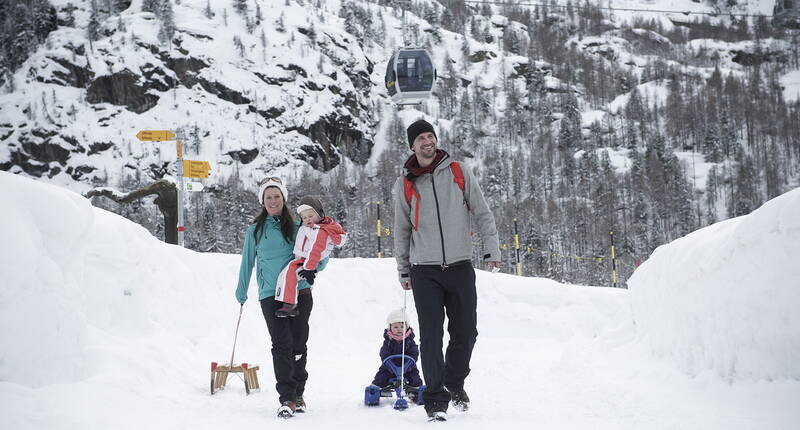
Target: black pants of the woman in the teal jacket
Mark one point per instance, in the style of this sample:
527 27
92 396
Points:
289 351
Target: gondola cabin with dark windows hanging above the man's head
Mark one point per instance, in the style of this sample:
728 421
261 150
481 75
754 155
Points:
410 76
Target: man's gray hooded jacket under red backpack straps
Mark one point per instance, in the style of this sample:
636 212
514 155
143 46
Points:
443 234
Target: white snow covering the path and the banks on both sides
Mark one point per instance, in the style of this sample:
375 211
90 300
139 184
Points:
104 326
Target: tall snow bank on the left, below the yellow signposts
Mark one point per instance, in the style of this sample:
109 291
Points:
76 278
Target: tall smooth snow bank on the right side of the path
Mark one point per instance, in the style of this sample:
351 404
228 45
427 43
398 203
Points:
725 298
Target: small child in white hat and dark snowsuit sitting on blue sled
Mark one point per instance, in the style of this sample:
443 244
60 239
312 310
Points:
393 339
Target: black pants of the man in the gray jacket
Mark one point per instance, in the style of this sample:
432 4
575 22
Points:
436 292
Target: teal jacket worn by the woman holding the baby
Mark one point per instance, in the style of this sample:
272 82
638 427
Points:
271 255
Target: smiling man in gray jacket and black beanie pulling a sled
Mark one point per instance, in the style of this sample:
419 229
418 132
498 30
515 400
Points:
434 201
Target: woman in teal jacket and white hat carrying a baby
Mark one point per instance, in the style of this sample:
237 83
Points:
269 242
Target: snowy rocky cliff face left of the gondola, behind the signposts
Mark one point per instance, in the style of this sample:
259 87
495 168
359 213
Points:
255 101
